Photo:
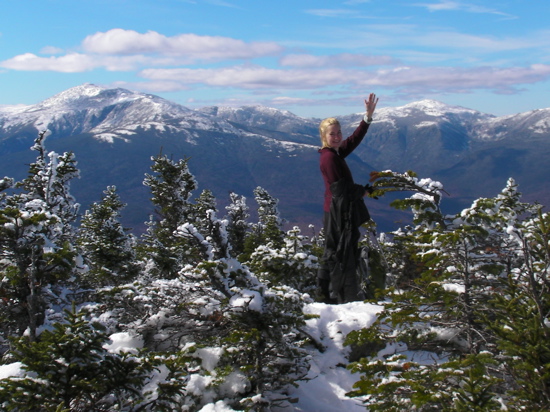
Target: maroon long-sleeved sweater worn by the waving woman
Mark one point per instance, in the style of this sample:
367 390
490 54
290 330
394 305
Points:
333 164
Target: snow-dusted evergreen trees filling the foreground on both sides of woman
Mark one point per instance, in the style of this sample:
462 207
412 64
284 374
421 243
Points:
212 303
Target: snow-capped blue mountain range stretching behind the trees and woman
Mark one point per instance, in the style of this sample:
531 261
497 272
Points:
114 133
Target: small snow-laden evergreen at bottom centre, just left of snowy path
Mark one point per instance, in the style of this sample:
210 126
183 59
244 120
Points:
265 345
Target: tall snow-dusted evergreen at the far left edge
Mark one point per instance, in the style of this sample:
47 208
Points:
36 240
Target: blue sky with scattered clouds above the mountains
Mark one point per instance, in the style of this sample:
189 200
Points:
315 58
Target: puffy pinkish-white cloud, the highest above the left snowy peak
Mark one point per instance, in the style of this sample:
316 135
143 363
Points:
189 46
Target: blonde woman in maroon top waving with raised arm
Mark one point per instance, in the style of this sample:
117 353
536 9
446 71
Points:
344 209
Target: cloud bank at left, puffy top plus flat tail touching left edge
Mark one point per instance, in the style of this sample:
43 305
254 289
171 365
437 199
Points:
128 50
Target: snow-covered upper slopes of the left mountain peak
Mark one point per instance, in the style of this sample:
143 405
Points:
106 113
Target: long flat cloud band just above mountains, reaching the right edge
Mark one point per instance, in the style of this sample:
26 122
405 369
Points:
406 79
